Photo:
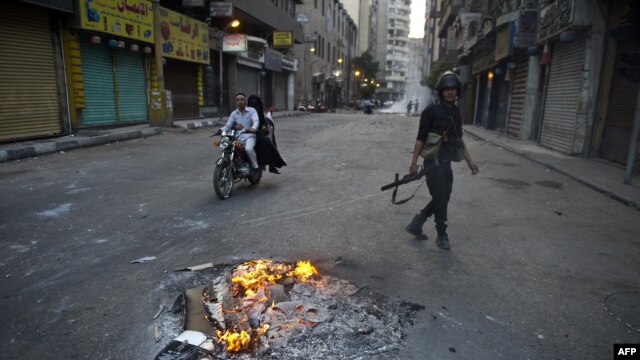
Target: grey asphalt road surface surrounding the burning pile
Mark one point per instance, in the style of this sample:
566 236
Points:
541 267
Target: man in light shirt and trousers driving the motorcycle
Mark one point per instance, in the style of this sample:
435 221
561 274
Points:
241 118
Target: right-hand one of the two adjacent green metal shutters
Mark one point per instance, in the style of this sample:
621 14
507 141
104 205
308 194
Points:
131 84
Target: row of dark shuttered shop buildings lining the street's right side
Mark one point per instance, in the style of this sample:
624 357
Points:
560 72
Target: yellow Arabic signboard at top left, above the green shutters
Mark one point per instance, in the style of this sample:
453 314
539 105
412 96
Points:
131 19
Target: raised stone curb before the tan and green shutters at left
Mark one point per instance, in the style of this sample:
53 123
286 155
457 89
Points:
49 147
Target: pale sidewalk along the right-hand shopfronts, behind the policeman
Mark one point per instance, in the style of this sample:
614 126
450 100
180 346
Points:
600 175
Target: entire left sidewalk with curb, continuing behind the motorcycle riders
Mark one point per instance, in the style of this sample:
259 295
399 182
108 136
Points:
94 137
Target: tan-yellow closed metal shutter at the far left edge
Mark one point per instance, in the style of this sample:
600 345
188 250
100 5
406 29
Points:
29 93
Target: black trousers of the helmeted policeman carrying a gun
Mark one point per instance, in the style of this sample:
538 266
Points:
440 184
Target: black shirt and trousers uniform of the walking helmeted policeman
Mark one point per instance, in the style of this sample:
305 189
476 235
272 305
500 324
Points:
439 118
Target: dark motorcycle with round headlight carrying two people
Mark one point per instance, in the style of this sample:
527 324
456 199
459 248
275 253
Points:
233 164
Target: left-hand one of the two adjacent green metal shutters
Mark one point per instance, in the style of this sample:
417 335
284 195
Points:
99 88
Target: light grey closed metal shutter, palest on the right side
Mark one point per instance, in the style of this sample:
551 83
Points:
561 99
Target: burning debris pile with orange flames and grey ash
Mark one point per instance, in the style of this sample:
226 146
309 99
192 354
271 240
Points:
267 310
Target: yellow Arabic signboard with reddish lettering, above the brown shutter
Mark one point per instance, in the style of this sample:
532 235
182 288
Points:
183 38
